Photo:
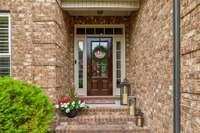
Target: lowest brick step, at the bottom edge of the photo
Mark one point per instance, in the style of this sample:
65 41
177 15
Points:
122 128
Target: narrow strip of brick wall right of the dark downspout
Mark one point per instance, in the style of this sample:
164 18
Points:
190 75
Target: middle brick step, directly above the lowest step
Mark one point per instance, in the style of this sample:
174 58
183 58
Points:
98 119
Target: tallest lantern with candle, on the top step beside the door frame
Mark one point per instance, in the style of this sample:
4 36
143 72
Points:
124 92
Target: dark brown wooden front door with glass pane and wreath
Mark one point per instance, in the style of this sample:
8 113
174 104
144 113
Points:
99 66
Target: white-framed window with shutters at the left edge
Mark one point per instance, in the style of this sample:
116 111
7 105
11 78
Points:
4 44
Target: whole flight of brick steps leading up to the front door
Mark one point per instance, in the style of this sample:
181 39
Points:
100 120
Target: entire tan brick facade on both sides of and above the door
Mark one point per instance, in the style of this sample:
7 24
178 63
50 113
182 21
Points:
43 53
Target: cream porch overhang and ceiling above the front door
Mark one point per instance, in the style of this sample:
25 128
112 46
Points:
100 7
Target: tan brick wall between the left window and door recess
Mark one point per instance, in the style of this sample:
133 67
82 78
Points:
40 41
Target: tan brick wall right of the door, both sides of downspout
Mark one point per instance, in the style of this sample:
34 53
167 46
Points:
152 64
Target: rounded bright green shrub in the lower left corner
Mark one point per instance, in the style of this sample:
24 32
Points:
24 108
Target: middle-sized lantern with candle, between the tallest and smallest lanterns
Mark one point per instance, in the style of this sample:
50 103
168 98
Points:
132 105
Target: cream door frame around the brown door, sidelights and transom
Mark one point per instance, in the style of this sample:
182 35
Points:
83 38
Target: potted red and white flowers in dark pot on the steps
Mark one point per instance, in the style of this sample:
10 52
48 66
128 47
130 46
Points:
71 105
